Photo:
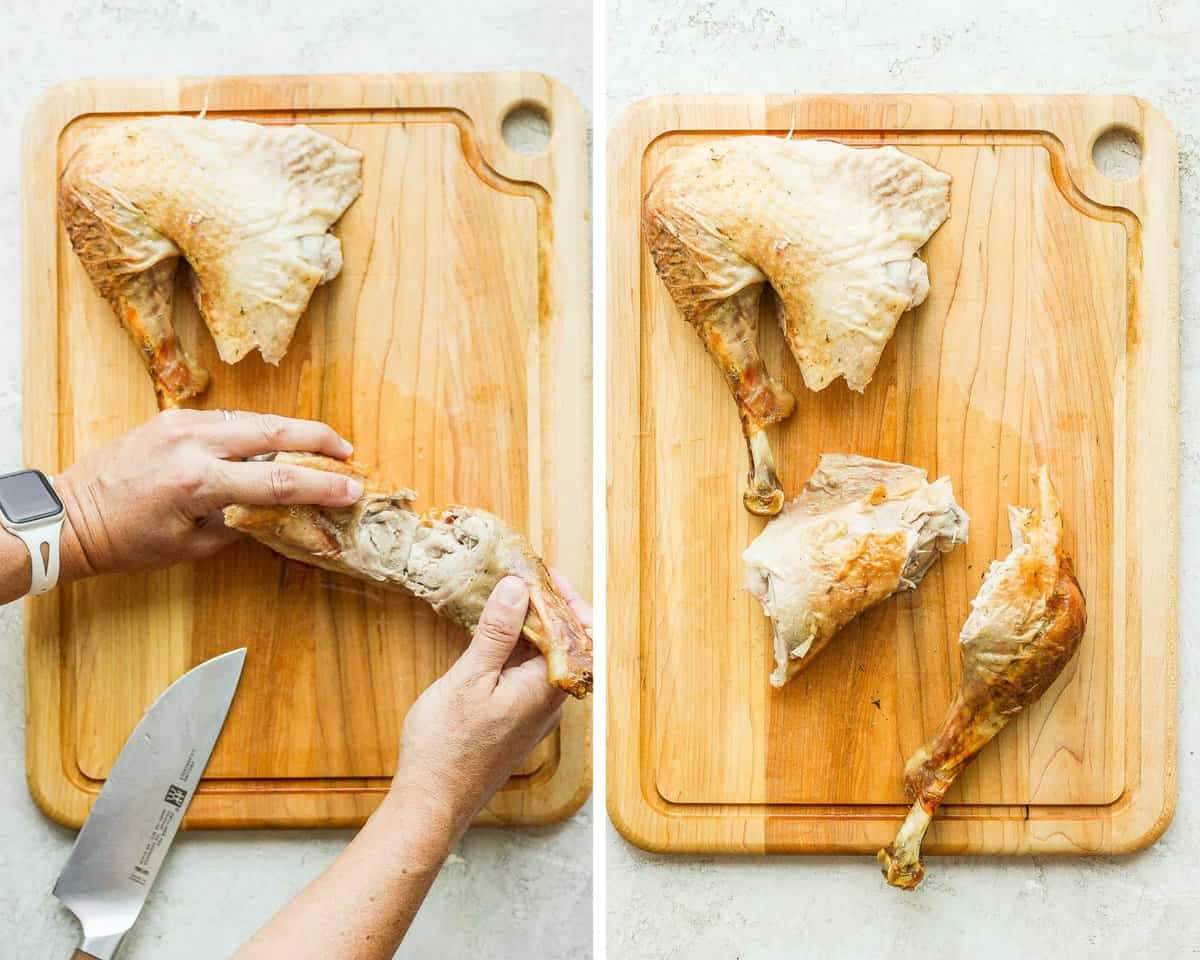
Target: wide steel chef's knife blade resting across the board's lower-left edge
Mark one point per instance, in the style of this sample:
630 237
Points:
131 826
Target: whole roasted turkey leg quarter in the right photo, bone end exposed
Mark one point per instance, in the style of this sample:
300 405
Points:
835 230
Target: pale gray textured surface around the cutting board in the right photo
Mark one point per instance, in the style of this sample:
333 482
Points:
839 908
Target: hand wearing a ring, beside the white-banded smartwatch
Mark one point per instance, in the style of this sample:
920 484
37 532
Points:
154 497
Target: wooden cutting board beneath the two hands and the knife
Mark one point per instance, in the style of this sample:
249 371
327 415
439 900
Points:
454 350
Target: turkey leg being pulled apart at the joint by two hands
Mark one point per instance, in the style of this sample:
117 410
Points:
451 559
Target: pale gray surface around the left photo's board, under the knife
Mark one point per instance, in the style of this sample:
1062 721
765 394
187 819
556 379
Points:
506 893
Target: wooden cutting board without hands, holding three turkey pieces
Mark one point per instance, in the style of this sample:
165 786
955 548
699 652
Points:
1051 335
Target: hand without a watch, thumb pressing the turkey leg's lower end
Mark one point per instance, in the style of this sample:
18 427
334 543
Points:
471 729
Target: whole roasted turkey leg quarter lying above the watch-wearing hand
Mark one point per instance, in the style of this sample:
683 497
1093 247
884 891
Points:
248 206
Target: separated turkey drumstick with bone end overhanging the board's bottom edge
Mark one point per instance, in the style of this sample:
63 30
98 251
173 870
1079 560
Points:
1025 626
